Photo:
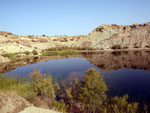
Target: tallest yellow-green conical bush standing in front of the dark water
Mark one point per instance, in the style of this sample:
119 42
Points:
93 93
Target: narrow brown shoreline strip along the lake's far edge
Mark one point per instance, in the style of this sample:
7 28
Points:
8 66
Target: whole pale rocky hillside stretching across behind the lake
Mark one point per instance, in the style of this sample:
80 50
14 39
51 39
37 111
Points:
103 37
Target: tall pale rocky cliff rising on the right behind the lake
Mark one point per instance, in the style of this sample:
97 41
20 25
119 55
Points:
125 37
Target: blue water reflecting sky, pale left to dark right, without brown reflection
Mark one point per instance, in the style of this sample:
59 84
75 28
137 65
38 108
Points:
134 82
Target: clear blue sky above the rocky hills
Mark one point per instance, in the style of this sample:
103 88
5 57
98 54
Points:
69 17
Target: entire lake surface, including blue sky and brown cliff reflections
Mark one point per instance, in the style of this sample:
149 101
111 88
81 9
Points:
124 72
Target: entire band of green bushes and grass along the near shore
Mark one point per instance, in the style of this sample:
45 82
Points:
88 95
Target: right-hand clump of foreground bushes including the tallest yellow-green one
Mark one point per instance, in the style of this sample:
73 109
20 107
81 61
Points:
91 94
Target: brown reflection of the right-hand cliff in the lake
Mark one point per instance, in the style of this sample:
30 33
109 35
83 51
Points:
117 60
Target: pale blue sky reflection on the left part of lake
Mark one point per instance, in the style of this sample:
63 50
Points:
58 67
